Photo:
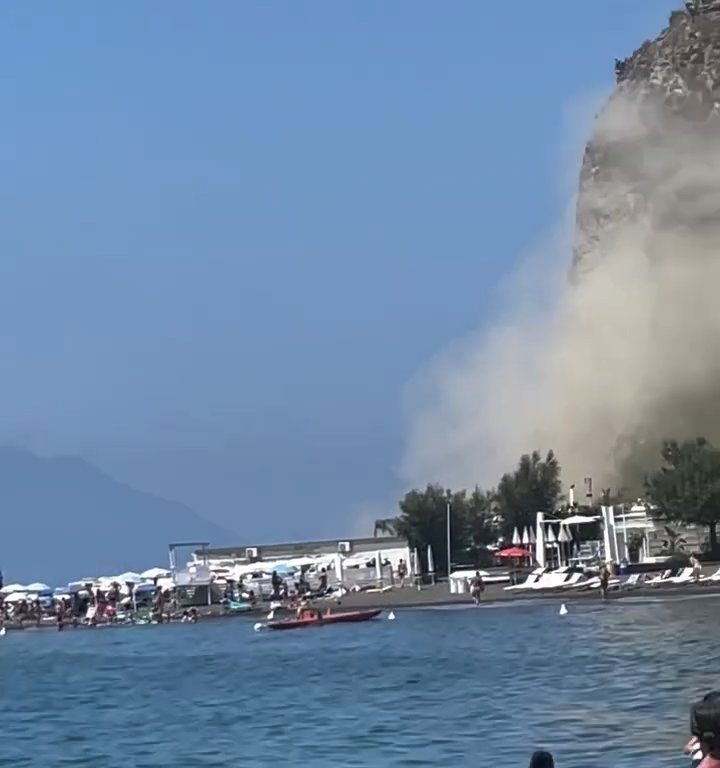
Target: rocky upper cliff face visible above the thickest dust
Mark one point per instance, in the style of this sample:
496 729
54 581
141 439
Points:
663 115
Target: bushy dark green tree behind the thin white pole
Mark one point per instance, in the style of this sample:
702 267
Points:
423 521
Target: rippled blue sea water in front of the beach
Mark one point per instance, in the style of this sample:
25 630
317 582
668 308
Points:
607 685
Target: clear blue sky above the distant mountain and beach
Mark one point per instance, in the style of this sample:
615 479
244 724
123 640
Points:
231 233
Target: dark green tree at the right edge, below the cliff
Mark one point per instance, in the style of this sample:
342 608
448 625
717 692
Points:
686 489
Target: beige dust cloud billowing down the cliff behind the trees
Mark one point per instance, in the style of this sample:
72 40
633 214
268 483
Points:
603 355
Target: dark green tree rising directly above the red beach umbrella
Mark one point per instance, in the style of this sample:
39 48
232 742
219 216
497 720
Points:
533 487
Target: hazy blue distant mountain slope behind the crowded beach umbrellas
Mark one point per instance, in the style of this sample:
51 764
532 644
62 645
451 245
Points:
62 518
